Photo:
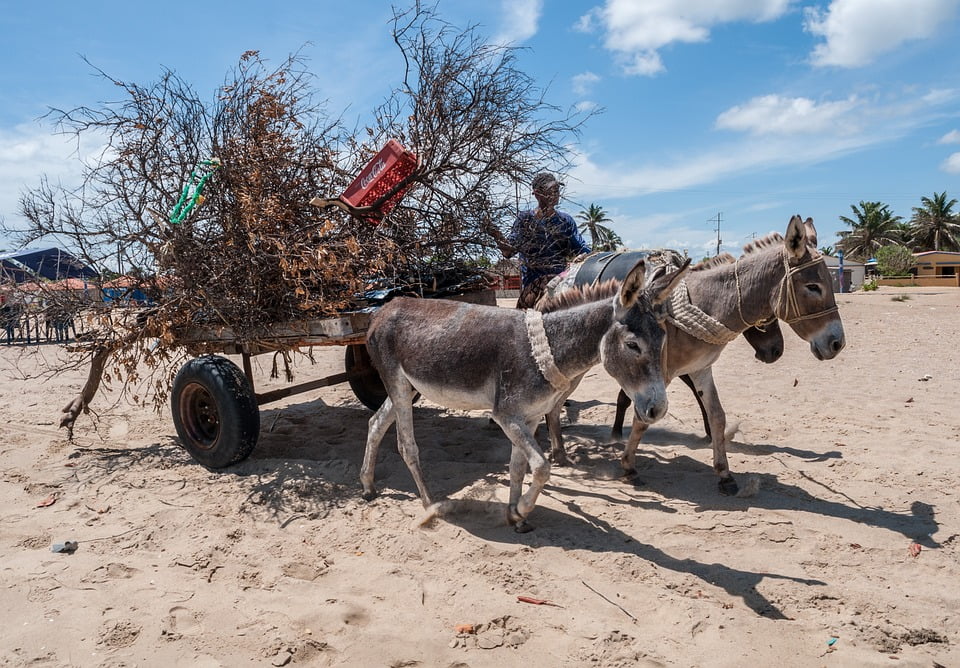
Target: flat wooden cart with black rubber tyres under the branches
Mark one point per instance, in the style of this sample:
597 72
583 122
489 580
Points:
216 408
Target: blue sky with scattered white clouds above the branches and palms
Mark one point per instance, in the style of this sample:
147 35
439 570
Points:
751 109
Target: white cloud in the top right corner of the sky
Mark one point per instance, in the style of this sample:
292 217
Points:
855 32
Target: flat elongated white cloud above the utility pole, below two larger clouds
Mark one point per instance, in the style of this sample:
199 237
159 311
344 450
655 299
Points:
778 115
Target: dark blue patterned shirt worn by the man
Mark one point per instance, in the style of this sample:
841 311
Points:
545 246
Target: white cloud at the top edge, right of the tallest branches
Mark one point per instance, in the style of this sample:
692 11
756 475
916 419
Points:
635 31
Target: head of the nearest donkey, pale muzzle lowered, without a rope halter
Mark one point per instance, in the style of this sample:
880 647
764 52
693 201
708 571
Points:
631 350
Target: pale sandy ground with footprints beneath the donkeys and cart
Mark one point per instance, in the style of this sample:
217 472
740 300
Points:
278 561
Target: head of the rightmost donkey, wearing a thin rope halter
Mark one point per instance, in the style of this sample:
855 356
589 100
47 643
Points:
805 298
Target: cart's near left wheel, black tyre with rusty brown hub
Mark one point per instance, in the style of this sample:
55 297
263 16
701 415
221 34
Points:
215 411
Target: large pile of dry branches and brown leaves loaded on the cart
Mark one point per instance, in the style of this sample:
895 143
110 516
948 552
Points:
250 251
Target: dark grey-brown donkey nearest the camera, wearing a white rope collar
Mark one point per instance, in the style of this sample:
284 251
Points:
516 363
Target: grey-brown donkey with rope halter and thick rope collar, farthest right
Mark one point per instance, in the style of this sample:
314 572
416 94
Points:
777 276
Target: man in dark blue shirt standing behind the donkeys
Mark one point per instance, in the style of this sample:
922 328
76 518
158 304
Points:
545 239
